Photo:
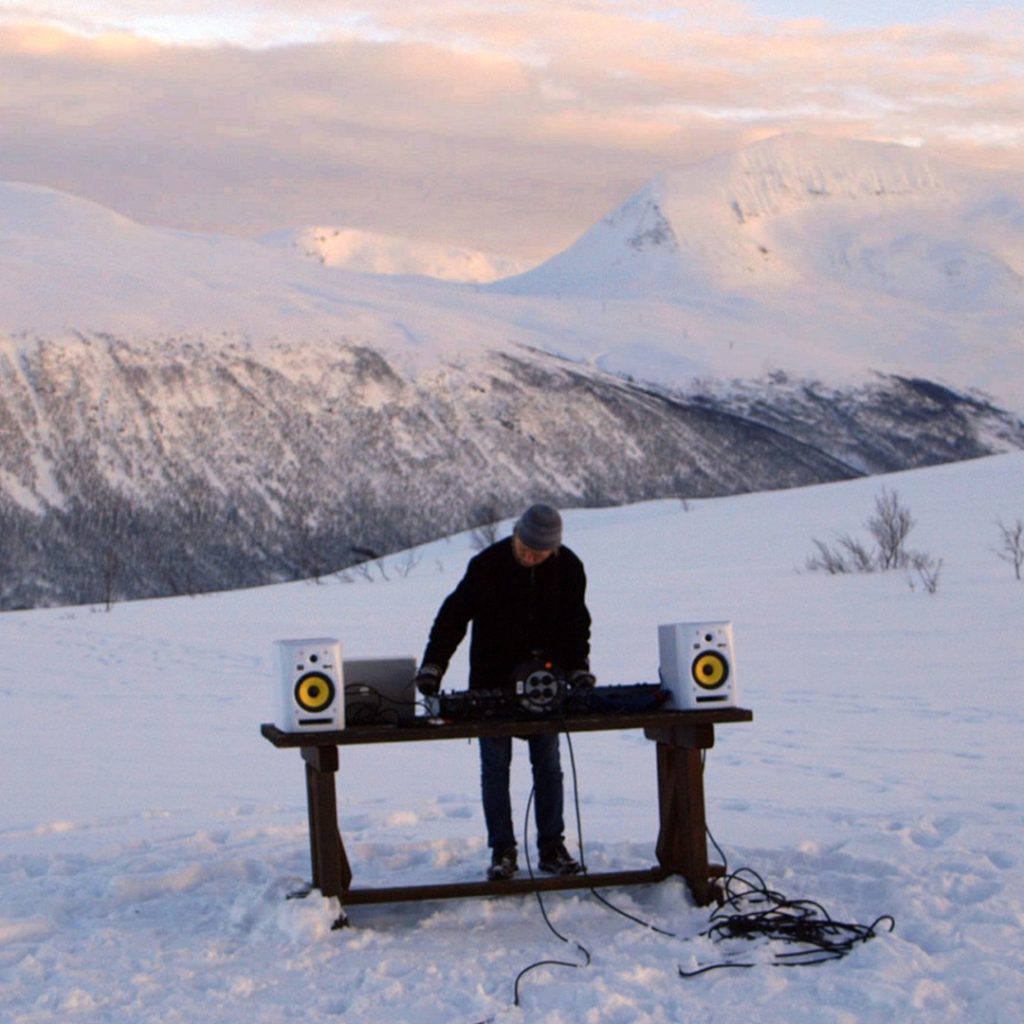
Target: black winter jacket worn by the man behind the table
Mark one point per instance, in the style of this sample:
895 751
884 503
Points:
516 613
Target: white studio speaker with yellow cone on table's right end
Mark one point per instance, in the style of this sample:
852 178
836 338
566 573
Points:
698 665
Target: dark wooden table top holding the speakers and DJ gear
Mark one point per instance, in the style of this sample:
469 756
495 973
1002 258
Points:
426 730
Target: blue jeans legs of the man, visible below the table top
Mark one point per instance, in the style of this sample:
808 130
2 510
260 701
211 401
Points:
496 759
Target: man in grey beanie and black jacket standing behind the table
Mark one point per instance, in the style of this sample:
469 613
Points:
525 598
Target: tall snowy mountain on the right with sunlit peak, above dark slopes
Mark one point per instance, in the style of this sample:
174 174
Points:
814 257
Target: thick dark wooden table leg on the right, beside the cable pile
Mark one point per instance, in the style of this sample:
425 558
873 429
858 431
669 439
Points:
682 845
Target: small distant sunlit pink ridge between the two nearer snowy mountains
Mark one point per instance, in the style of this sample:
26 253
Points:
372 252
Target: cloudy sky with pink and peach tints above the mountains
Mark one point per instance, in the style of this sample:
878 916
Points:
505 127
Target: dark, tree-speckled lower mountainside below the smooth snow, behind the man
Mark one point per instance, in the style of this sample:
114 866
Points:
137 470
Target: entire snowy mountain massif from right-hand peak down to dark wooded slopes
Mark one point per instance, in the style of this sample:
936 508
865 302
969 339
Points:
800 312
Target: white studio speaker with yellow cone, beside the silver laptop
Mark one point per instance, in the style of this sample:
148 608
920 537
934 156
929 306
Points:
311 688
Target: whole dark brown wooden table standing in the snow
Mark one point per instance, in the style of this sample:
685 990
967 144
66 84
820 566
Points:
680 738
